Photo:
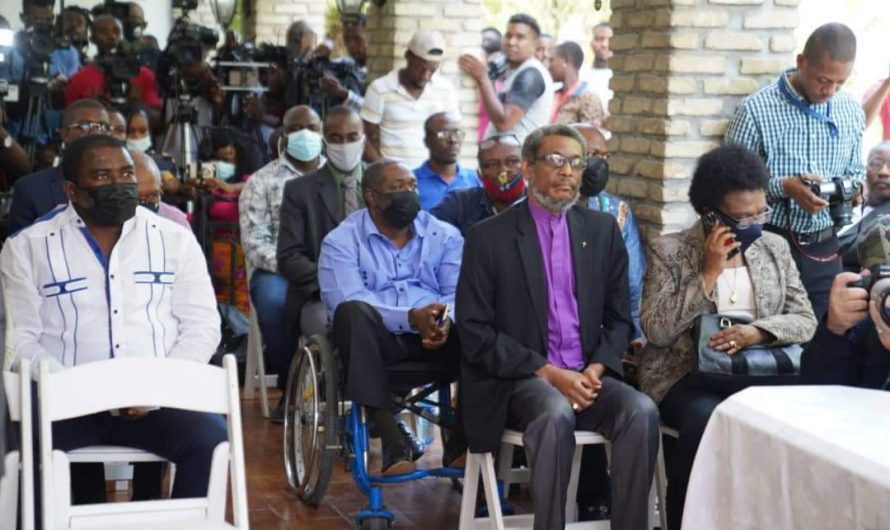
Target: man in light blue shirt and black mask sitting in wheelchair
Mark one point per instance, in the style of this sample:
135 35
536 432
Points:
387 276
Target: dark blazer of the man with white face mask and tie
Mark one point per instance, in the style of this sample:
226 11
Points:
310 208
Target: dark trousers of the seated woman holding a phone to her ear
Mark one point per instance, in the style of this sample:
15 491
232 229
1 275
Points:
686 410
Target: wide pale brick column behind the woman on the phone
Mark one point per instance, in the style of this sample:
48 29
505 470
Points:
680 67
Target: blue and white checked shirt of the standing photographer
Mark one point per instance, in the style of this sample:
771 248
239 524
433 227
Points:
793 142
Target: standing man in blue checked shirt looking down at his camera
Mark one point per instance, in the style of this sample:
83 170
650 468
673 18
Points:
808 132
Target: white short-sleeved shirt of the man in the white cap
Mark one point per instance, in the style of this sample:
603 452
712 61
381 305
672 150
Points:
400 116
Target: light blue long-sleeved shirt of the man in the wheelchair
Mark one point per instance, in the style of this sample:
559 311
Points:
358 263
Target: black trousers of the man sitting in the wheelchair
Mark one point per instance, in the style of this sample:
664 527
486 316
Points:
370 356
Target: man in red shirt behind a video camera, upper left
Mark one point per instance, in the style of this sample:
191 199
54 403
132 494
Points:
92 82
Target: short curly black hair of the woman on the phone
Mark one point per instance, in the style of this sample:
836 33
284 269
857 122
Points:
723 171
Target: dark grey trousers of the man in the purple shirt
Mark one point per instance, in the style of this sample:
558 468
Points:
626 417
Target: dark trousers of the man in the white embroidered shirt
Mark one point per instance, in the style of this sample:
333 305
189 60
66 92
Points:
185 438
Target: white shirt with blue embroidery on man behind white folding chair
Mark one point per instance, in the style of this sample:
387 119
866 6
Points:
65 302
